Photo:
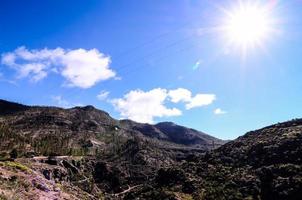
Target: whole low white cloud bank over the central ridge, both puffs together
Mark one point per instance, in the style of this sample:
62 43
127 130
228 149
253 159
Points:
144 106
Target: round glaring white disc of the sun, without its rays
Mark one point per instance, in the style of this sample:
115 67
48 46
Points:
248 25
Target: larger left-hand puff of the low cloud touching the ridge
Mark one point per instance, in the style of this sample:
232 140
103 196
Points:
143 106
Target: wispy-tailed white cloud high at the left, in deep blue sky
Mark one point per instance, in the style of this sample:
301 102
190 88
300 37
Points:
81 68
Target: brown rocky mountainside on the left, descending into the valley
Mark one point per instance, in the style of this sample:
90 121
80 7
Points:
112 153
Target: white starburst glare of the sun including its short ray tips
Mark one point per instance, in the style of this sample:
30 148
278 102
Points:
248 25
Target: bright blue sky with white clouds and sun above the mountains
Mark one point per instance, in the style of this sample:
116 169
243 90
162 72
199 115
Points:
153 61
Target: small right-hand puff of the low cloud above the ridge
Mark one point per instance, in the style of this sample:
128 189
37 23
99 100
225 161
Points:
184 95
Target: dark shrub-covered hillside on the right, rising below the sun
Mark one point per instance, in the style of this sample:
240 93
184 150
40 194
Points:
262 164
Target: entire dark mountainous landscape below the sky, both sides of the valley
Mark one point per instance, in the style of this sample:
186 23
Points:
83 153
